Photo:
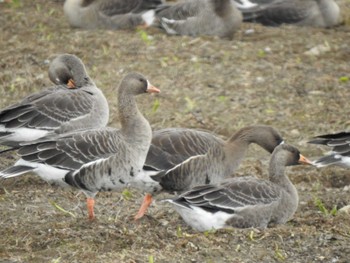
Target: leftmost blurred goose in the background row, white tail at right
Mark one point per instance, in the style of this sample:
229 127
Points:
110 14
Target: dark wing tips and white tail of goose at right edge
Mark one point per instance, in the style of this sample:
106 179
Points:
340 154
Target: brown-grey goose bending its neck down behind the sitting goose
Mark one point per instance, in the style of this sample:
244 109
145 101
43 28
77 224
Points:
199 157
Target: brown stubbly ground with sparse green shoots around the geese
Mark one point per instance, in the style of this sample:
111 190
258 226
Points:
264 77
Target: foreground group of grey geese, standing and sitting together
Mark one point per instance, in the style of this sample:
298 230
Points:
60 134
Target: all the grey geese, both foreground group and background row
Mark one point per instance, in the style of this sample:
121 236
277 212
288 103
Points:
61 133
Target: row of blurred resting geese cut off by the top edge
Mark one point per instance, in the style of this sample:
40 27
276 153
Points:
220 18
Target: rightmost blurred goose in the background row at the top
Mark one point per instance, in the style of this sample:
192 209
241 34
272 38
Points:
318 13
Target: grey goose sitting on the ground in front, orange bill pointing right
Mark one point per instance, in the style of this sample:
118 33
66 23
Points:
244 202
